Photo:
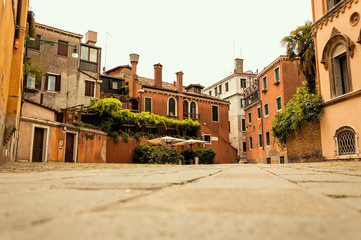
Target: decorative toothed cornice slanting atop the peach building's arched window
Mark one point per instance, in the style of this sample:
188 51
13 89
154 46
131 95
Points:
332 14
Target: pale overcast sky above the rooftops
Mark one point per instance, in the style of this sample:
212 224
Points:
199 37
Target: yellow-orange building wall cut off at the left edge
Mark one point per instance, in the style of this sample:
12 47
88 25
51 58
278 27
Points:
13 15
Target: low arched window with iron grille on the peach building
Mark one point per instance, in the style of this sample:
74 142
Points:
346 141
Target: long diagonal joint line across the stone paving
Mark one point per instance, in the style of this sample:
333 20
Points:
122 201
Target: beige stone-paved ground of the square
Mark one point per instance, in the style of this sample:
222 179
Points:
109 201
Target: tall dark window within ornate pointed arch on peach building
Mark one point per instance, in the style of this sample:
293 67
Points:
340 70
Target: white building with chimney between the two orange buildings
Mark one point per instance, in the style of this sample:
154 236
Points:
231 89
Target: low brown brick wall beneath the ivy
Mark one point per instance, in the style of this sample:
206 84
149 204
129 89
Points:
304 145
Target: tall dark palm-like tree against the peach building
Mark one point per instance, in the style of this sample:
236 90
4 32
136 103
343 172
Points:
300 45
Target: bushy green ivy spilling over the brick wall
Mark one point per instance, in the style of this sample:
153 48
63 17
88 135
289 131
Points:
303 107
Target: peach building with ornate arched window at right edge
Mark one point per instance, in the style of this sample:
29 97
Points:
336 29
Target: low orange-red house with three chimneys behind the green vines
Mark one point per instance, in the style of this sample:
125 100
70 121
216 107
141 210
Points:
173 100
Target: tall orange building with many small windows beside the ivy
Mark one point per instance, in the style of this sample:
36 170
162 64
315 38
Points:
276 85
